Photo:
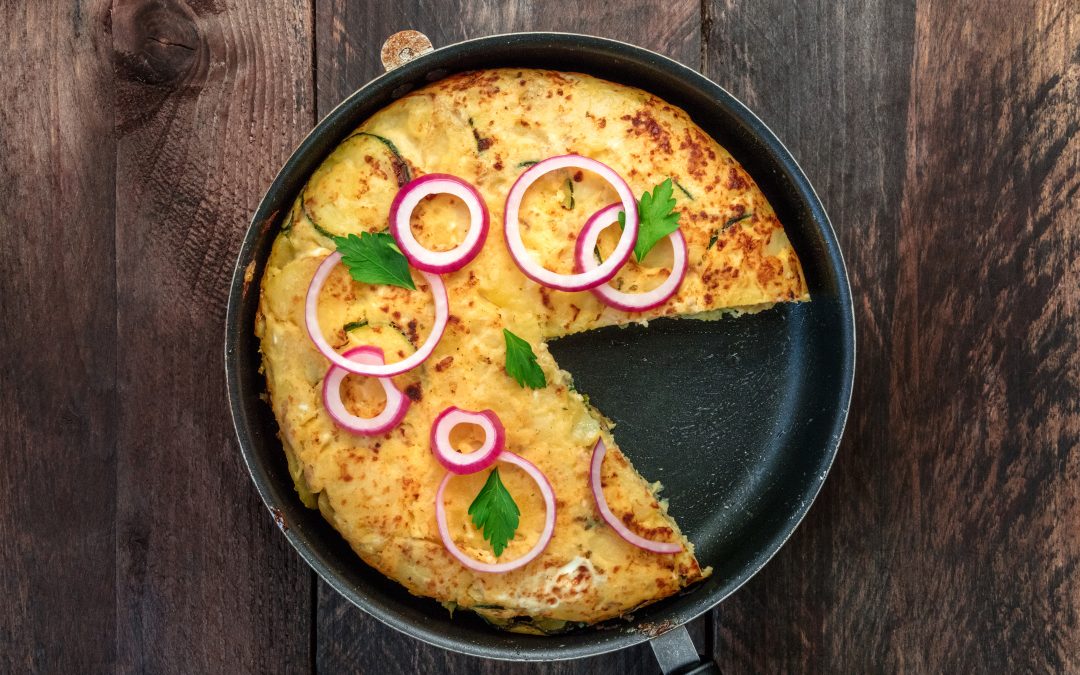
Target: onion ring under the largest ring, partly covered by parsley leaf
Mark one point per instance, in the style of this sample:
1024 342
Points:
607 293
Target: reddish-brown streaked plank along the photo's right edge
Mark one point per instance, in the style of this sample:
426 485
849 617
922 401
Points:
985 380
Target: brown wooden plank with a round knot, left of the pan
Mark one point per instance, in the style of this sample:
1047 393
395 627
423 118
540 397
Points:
210 103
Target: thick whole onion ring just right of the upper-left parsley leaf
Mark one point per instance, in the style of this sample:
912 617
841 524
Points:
439 262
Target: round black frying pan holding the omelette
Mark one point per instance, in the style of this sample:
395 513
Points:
739 418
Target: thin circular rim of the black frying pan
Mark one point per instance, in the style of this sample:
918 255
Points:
607 641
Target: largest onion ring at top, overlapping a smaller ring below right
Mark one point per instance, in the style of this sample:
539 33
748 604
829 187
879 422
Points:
580 281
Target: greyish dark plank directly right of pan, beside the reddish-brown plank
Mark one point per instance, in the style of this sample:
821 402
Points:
832 82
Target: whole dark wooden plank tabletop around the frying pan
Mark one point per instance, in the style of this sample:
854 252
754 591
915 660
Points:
138 138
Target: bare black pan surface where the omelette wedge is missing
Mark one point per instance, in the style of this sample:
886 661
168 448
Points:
721 413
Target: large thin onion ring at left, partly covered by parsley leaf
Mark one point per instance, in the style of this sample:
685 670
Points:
386 370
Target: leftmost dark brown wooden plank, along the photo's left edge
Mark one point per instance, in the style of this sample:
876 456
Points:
58 347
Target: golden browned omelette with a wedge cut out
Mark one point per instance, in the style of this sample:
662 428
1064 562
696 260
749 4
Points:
379 492
